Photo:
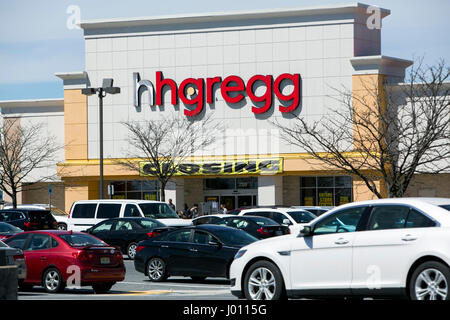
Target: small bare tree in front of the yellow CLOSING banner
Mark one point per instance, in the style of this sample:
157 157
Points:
163 144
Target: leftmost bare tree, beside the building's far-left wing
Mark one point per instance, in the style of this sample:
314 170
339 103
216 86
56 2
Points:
24 150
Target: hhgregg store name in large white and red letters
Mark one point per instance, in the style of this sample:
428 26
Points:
193 92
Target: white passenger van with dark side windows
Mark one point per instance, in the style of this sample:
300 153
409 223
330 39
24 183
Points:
85 214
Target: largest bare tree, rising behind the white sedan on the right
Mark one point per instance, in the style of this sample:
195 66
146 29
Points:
387 134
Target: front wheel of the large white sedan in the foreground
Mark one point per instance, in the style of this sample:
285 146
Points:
263 281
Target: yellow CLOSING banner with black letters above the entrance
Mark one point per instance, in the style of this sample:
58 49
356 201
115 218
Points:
225 167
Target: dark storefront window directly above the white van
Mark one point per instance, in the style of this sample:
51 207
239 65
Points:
136 190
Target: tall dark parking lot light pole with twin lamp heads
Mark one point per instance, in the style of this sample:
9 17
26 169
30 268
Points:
107 87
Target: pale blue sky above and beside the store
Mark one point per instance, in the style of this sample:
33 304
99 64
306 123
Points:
35 41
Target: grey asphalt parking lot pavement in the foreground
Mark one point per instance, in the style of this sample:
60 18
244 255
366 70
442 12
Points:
136 286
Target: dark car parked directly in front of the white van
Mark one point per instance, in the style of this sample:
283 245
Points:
125 233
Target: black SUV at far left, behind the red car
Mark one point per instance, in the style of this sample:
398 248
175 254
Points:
29 219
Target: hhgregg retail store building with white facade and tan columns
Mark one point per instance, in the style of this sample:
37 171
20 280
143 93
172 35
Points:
297 56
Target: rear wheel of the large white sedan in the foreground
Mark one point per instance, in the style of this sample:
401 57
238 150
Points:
430 281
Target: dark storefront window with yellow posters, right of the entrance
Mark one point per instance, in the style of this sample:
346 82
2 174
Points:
326 191
